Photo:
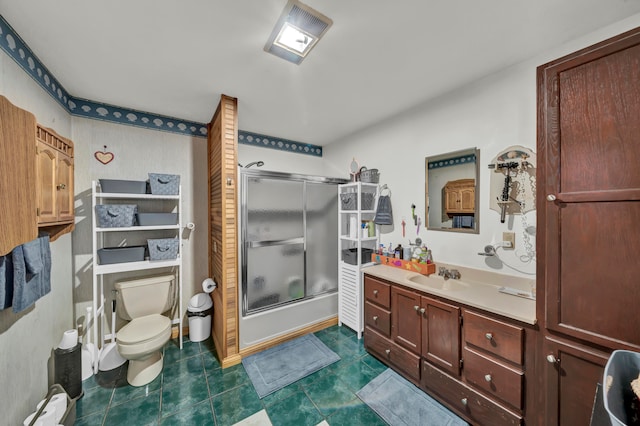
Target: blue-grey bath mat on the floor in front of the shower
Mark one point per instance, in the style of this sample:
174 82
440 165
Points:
277 367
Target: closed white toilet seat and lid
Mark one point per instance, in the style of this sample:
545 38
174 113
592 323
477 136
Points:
143 335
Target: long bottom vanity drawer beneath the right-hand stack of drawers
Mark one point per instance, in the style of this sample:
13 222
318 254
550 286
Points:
476 407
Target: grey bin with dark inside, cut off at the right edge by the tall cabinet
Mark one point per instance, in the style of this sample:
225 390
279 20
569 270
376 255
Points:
620 401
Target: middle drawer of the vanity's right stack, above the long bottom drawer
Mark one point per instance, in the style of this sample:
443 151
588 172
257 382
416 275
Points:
496 379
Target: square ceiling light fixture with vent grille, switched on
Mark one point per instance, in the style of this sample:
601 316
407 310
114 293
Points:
297 32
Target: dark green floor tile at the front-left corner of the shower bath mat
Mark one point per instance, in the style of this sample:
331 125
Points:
236 404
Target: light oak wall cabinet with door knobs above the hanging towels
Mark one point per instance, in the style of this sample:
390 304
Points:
54 187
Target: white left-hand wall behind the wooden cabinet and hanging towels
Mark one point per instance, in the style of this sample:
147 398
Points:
27 339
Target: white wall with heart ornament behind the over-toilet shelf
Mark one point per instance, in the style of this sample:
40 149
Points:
137 152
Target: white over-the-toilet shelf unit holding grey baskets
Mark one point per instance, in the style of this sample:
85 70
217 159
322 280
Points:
100 271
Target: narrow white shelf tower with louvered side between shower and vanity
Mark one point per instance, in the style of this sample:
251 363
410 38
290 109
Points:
350 275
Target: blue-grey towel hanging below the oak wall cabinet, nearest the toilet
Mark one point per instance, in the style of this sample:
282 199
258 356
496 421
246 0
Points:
27 286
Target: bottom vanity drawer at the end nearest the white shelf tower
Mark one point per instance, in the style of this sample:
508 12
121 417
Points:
407 362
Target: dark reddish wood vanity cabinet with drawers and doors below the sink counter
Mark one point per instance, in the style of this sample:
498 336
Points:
473 362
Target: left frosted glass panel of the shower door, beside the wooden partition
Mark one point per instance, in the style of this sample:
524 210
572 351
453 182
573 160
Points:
273 270
